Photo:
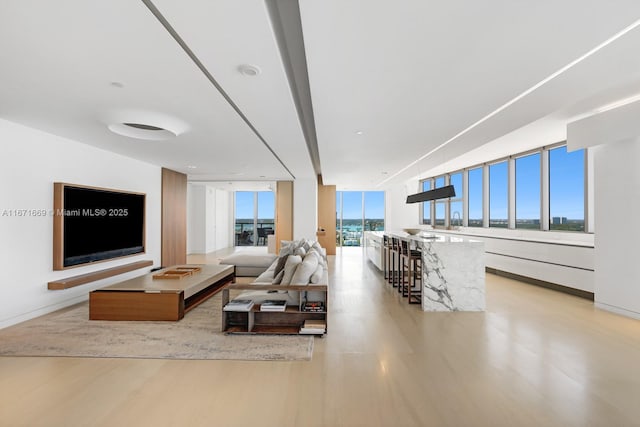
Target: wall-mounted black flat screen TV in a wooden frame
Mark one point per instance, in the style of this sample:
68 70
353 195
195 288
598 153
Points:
96 224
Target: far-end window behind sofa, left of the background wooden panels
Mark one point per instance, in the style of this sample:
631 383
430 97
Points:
254 217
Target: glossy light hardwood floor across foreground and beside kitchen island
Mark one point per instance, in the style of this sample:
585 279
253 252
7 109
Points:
536 357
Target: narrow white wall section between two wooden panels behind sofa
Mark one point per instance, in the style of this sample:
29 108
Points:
305 208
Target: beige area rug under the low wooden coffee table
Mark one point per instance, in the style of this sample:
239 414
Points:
69 332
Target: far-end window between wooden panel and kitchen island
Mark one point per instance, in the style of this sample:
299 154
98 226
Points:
358 211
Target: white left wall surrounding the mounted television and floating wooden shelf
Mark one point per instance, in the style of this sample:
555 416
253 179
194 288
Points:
31 162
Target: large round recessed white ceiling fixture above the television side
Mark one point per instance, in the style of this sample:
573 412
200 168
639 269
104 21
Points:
146 125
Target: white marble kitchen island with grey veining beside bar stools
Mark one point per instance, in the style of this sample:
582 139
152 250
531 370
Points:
453 271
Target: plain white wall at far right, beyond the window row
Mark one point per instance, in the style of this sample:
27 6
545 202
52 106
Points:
617 208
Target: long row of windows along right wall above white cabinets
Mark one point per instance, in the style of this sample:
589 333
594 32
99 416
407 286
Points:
542 189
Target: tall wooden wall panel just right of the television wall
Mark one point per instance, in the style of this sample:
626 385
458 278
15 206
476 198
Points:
174 218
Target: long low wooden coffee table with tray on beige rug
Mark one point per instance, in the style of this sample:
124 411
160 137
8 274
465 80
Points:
149 298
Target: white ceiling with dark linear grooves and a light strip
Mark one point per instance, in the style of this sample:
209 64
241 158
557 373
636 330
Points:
431 85
